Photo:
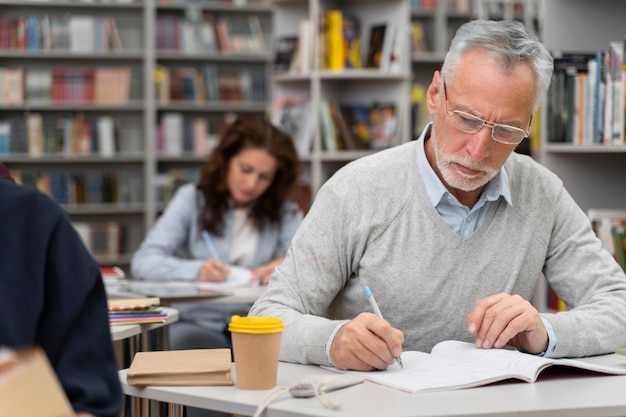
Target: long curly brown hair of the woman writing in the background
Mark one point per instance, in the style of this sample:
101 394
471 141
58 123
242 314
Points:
248 132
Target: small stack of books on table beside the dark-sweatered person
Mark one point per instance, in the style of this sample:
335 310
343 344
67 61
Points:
136 311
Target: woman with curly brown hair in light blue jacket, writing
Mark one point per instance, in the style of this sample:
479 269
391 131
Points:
244 202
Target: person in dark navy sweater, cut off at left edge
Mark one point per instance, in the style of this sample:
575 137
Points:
52 295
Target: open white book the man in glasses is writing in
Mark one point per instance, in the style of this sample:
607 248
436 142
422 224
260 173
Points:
453 365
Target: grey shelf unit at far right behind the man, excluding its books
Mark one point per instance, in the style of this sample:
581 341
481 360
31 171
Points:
592 174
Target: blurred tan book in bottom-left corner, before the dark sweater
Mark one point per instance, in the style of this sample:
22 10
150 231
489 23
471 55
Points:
27 374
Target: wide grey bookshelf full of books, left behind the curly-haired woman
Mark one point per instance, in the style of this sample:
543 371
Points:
99 151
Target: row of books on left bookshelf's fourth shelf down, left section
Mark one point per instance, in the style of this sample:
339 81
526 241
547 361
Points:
82 187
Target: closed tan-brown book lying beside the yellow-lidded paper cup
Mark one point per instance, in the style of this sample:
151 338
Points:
181 367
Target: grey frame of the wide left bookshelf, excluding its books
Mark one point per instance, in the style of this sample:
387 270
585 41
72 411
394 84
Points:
136 119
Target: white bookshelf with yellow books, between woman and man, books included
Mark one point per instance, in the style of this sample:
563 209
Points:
326 83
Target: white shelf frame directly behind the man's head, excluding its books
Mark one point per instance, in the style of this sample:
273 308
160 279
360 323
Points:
349 86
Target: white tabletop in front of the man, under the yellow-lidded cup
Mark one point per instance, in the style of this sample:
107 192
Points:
562 393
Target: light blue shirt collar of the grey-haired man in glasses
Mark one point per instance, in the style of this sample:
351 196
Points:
498 186
